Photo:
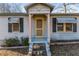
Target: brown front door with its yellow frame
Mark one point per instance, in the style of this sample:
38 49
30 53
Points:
39 27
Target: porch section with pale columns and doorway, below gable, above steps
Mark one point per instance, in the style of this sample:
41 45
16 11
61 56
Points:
39 28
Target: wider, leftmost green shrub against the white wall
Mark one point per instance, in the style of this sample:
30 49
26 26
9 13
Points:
12 42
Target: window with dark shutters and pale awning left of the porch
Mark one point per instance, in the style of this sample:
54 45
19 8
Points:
16 25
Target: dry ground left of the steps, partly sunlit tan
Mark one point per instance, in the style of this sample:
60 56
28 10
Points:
14 52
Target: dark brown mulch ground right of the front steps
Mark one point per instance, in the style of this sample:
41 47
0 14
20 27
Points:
65 50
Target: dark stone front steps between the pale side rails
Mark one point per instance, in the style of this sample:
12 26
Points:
39 49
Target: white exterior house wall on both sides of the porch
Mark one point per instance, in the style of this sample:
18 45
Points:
54 35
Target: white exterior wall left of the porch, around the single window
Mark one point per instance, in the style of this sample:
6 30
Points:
4 28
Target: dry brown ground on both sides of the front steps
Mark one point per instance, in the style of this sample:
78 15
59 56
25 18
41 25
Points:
56 50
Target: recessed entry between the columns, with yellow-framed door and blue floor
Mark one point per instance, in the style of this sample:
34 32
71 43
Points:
40 28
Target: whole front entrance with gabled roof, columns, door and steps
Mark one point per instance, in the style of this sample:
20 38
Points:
39 29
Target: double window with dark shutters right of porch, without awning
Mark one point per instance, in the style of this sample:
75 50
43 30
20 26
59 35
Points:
65 27
